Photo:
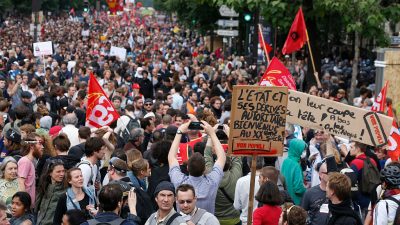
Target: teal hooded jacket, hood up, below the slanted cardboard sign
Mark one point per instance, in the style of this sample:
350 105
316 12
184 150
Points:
292 171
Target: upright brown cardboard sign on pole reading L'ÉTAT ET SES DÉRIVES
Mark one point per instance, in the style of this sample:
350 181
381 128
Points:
258 118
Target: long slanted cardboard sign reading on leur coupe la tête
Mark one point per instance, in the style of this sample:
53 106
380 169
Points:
338 119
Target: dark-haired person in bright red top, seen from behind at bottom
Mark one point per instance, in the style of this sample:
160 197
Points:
270 212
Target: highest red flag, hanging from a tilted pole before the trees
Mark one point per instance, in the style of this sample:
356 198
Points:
297 36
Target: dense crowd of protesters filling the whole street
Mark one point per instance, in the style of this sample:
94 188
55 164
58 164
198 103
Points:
56 170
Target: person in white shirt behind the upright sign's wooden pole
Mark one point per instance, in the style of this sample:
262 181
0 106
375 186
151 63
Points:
242 190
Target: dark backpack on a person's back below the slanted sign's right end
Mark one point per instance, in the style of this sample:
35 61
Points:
370 177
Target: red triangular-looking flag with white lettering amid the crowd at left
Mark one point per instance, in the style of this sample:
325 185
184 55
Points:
100 112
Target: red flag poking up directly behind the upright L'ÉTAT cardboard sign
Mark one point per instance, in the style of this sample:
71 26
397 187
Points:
277 75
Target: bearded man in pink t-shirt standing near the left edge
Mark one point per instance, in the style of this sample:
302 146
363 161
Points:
32 148
